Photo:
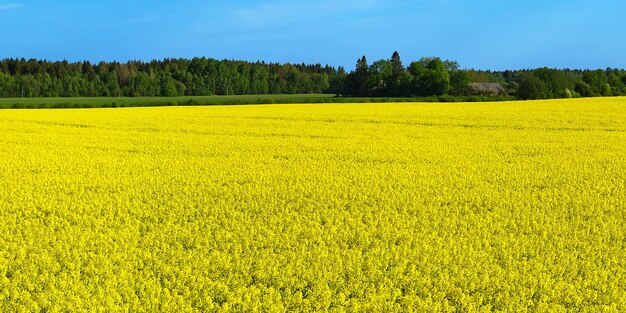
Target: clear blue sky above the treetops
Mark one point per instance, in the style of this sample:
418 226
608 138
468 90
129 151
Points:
484 34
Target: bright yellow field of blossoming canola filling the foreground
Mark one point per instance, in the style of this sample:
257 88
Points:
393 207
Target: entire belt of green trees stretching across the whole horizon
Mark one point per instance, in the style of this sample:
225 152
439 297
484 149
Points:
429 76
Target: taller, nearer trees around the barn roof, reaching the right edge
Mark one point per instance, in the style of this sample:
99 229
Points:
436 77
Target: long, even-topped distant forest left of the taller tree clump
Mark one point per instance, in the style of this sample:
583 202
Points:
170 77
